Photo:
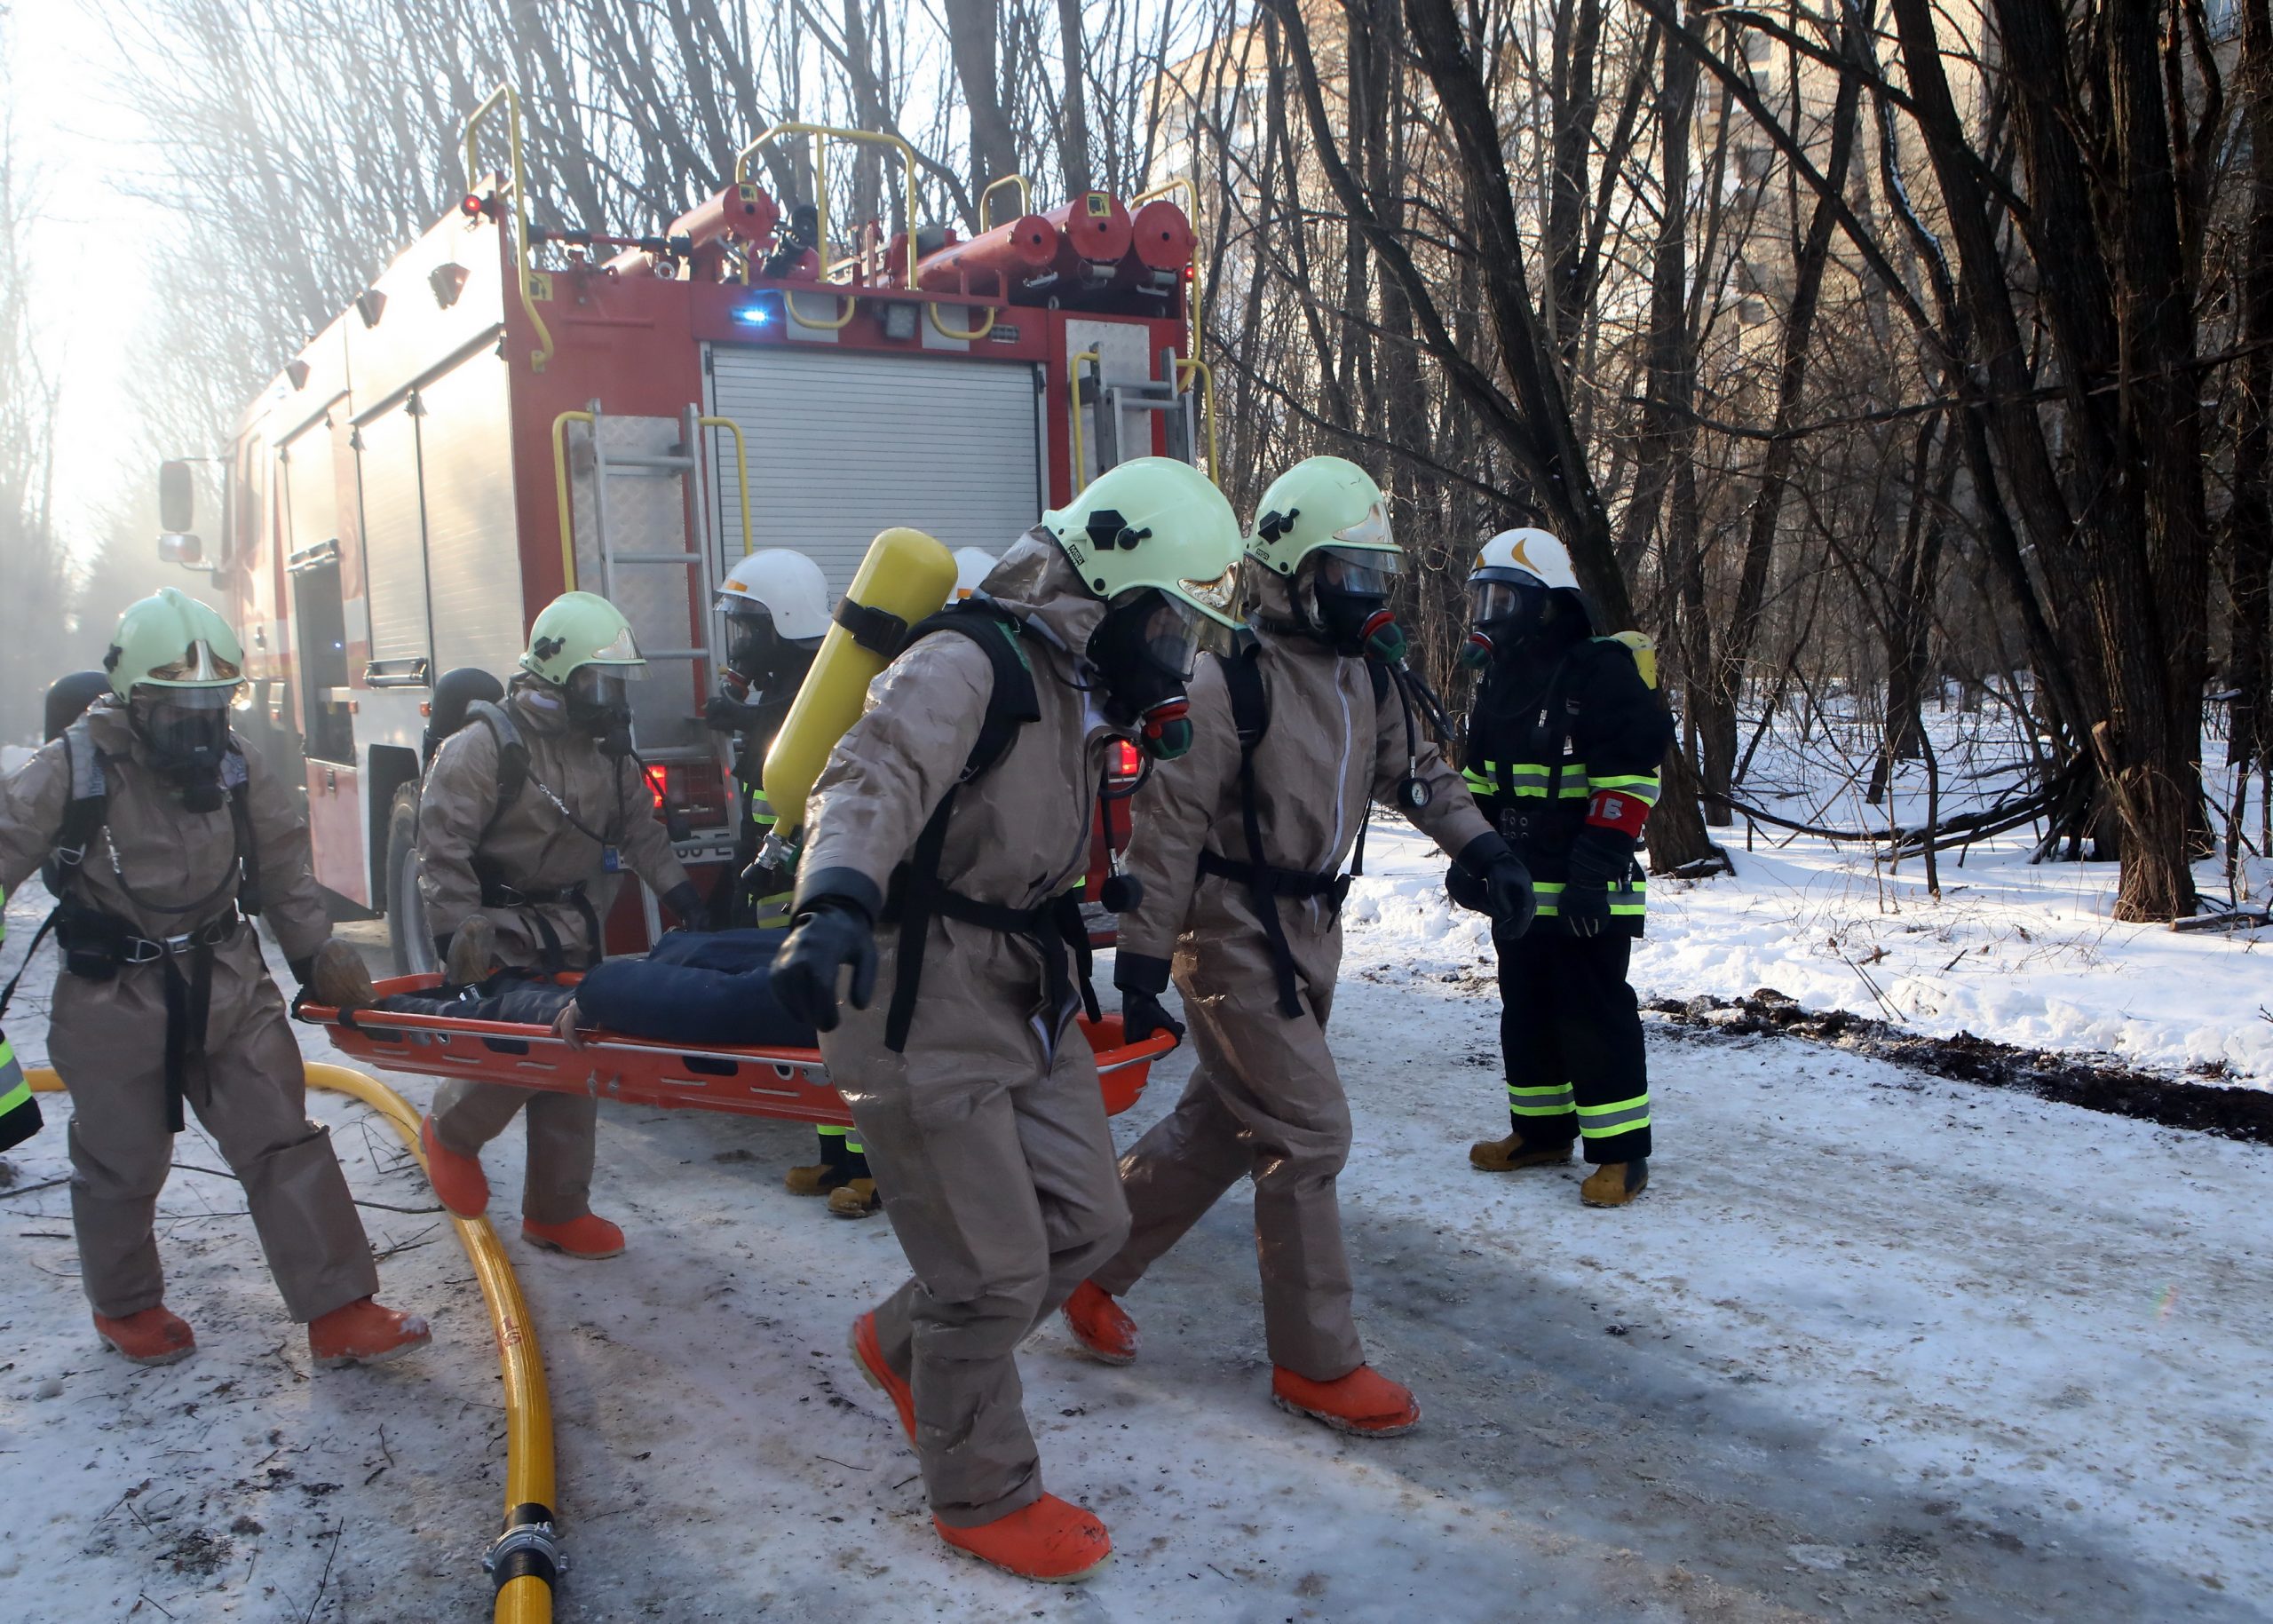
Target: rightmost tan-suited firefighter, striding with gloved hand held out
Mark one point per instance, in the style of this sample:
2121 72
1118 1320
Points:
1240 850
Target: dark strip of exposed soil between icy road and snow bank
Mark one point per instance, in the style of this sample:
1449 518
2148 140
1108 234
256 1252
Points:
2238 1113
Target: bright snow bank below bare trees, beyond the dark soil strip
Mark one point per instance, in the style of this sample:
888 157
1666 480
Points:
2013 952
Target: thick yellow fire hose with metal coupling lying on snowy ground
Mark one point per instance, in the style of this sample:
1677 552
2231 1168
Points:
526 1559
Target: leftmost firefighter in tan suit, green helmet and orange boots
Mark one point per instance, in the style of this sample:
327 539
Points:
165 834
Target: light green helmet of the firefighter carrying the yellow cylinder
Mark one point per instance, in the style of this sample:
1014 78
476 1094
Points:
1154 522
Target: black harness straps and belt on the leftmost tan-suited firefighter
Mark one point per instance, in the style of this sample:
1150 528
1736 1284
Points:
97 943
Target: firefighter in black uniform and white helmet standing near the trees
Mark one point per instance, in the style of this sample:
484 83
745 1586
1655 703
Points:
1565 743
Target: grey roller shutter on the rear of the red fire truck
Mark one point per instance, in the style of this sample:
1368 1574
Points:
844 447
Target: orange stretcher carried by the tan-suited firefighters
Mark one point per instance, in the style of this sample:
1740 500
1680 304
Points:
785 1084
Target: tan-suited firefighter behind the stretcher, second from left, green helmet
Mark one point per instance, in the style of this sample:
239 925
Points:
528 820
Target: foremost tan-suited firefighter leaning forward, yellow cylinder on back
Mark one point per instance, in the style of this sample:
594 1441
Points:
947 897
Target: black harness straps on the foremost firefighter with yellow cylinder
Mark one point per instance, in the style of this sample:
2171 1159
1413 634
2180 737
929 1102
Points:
917 893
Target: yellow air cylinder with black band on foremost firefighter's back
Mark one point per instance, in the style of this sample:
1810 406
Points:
906 577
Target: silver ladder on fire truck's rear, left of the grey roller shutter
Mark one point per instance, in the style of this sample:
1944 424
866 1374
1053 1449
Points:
681 463
